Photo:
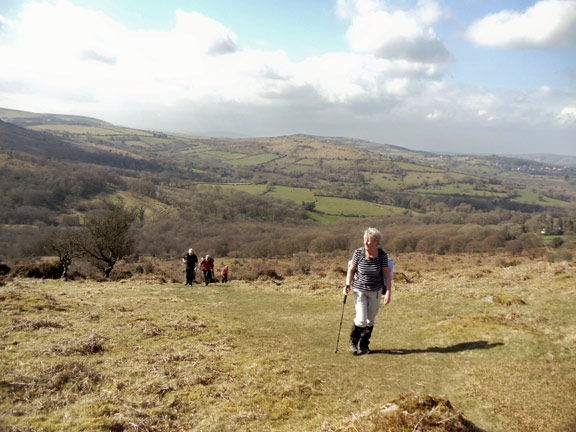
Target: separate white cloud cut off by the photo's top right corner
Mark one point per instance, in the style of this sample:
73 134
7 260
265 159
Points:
549 23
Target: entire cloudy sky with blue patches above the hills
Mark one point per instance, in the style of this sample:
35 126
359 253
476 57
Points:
483 76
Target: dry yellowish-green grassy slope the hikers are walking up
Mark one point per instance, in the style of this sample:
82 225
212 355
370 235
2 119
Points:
260 356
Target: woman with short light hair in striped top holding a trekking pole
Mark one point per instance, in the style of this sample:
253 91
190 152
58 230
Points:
369 274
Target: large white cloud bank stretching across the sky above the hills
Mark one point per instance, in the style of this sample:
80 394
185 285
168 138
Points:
196 76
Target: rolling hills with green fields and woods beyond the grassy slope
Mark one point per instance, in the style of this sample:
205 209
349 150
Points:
57 169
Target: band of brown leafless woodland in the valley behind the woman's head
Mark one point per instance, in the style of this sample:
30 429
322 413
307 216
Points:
438 234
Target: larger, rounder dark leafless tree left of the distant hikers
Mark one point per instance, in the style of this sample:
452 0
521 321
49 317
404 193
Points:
108 238
